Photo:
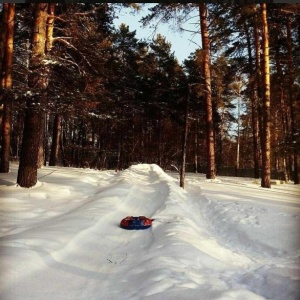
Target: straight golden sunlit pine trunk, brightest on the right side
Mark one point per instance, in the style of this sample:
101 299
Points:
266 138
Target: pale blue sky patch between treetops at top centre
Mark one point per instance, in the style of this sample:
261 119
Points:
183 43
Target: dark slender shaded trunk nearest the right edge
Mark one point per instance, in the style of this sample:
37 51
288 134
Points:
291 76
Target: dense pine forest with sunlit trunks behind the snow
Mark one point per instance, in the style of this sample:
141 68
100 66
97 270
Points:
76 91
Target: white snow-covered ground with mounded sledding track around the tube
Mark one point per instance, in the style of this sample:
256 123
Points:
221 239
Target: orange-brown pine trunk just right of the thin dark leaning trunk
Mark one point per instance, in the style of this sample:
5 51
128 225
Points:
210 141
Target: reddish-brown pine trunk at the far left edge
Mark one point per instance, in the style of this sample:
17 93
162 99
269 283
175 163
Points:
6 82
